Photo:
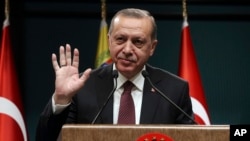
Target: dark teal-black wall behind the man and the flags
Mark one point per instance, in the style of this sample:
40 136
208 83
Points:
220 31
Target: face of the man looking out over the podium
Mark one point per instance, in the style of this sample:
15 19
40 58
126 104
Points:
130 44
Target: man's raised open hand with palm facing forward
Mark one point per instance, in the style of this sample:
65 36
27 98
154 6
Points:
67 82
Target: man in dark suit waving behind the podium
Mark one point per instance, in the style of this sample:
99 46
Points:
132 40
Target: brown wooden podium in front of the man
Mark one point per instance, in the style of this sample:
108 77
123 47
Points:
83 132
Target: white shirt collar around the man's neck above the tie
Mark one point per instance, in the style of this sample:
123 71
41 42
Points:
137 80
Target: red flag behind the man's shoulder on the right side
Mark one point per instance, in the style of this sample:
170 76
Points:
188 70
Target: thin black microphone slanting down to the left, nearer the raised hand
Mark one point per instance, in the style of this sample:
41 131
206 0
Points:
115 75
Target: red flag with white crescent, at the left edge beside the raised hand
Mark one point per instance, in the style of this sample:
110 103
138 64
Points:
12 127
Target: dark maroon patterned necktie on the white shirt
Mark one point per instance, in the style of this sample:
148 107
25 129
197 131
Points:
127 108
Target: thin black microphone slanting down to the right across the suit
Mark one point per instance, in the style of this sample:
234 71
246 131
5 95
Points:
146 76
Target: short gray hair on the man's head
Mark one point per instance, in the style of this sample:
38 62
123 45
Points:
135 13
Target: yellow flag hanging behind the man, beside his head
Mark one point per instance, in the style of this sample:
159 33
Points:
102 56
